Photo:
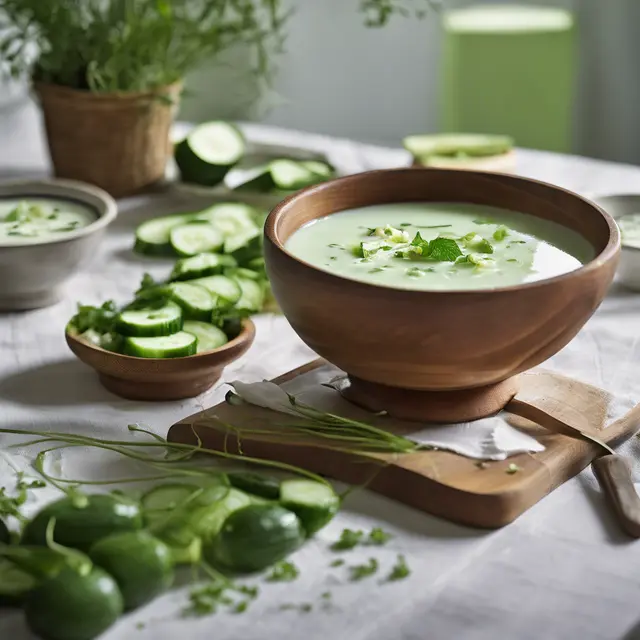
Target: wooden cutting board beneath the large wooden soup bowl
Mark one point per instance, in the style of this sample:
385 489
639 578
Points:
441 483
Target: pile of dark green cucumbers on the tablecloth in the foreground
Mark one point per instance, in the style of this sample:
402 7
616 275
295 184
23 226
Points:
82 561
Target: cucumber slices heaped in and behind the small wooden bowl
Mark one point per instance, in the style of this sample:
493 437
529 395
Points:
219 280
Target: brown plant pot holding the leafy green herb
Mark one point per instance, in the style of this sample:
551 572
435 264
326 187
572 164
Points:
119 142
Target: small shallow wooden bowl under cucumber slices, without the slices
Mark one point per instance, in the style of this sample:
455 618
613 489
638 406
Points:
158 378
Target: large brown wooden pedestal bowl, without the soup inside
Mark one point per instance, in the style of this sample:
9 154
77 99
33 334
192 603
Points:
437 355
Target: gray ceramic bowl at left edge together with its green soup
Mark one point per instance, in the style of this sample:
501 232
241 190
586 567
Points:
48 229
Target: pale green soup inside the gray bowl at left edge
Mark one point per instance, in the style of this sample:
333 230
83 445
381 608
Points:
38 219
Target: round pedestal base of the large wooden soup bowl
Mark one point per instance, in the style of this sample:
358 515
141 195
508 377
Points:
461 405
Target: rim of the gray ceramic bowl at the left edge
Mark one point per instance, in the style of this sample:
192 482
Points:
80 192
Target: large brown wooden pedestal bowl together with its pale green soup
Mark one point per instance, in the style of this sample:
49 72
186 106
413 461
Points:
434 288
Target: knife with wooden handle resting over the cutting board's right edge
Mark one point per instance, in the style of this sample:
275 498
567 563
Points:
612 471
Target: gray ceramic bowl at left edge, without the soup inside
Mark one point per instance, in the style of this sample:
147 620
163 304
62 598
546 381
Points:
32 275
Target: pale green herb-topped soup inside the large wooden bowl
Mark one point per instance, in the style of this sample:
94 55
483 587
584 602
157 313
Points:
443 246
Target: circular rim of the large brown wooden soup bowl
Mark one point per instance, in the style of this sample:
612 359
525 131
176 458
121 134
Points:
608 253
